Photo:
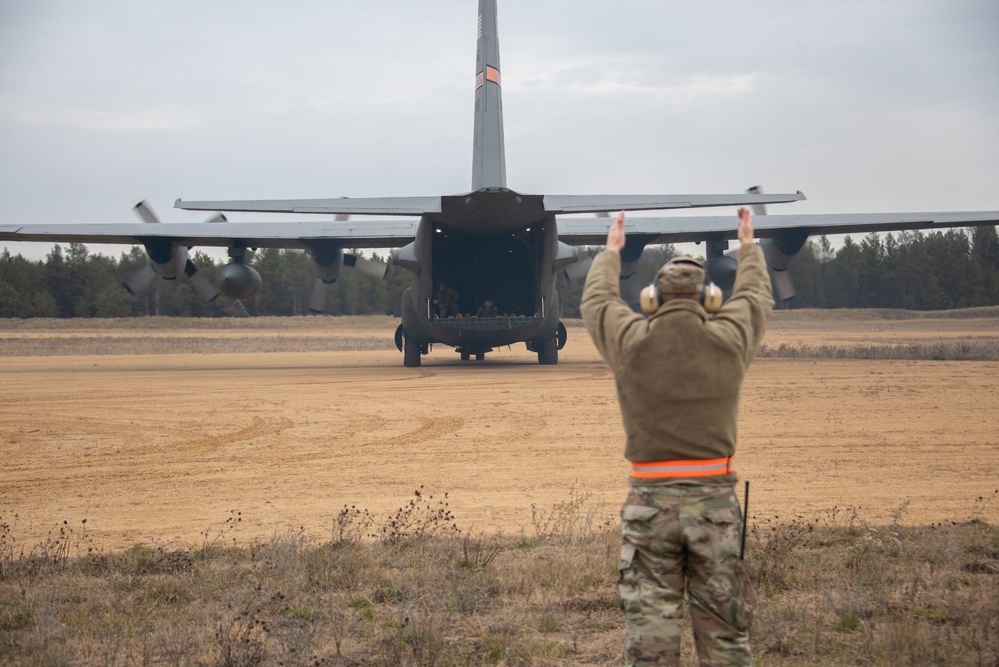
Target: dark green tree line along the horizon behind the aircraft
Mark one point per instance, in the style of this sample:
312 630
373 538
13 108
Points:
939 270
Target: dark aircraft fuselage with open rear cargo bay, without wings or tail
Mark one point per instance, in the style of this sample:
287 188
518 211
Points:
491 245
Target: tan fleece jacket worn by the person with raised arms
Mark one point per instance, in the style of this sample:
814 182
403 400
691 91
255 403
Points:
679 372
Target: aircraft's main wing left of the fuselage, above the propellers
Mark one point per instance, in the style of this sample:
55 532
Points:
345 233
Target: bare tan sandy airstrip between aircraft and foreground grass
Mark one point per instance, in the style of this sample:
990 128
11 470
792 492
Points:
159 448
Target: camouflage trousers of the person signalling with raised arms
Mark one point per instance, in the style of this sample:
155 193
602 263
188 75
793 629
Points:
679 537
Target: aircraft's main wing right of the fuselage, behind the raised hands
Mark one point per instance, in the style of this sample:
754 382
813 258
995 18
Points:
685 229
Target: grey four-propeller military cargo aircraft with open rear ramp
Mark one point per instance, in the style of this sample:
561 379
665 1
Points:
491 243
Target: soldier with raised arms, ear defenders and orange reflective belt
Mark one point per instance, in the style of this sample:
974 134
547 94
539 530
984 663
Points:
679 374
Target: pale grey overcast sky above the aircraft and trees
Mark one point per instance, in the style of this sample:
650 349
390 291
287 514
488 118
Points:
864 105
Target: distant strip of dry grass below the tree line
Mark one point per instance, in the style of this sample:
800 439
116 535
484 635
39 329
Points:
969 334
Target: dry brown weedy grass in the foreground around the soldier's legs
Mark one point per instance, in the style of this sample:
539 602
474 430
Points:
836 590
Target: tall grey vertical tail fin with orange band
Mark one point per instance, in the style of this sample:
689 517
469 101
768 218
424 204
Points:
488 155
